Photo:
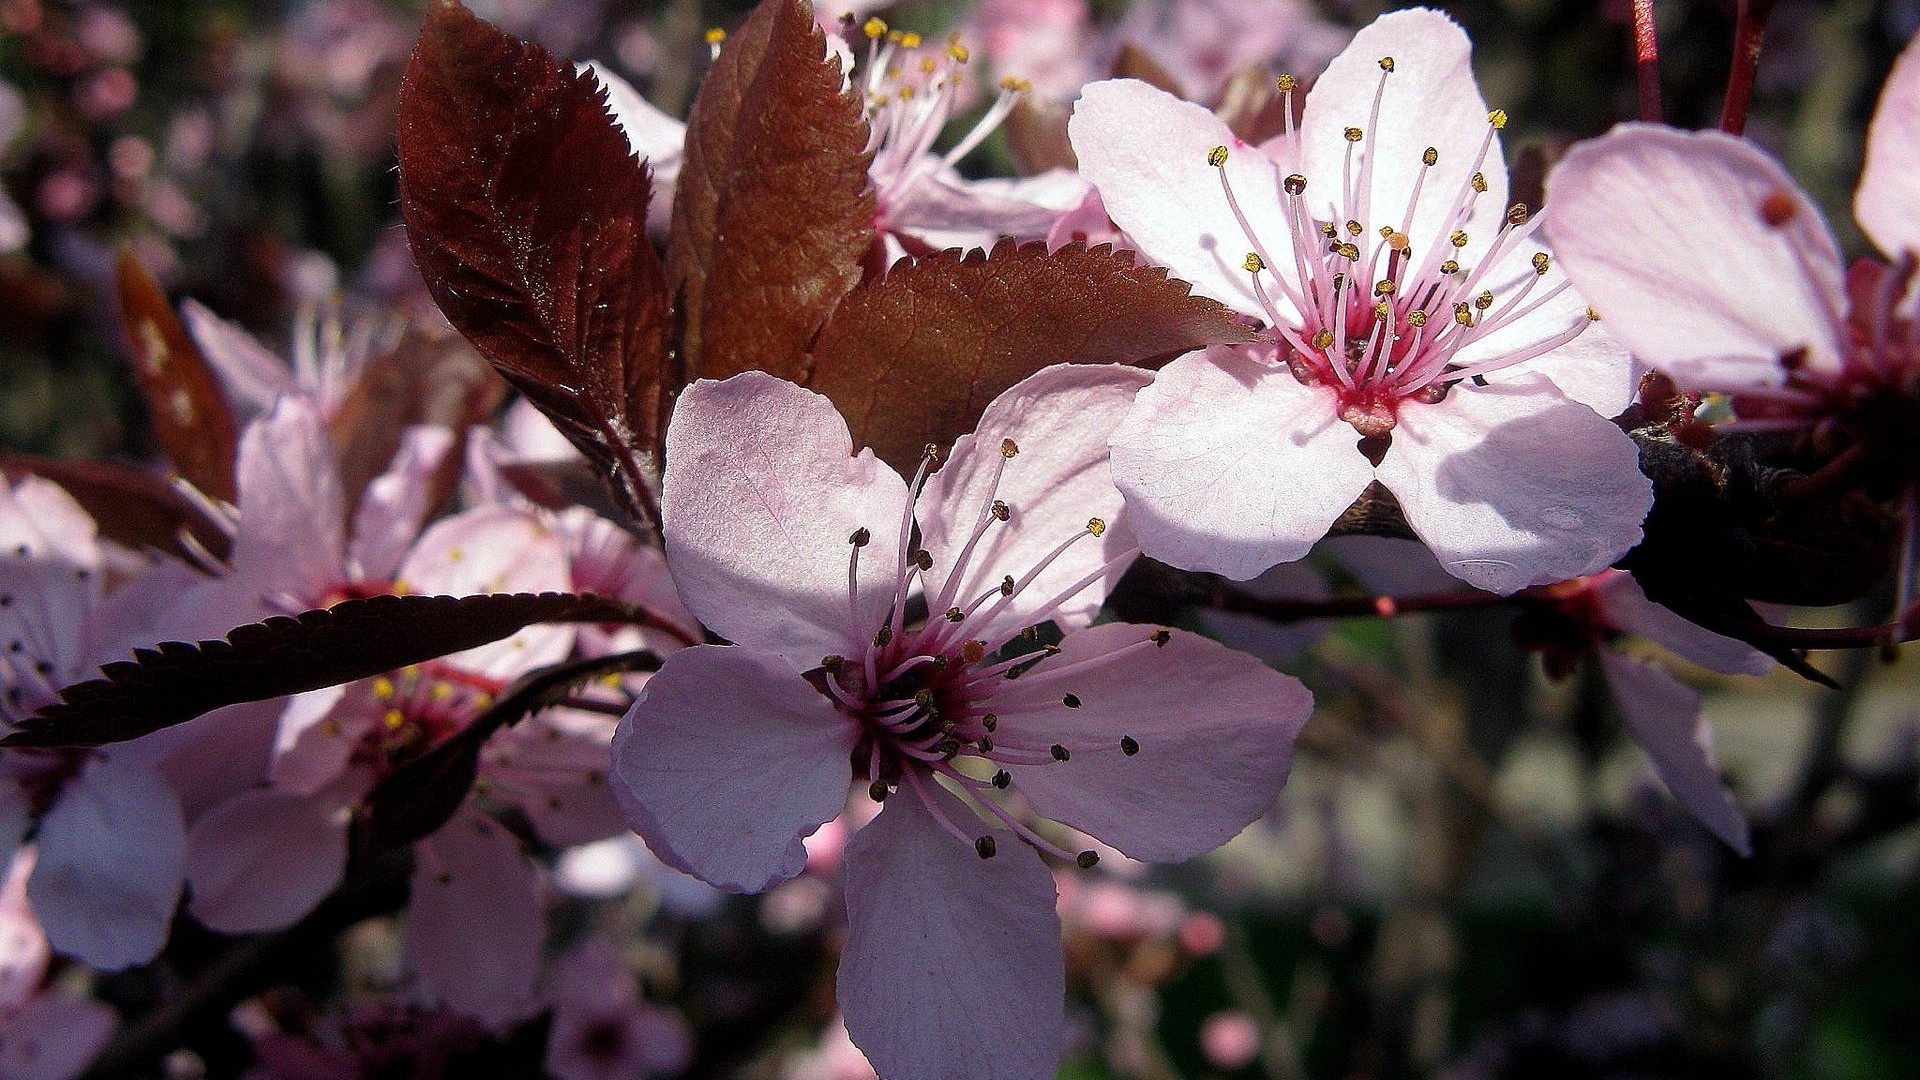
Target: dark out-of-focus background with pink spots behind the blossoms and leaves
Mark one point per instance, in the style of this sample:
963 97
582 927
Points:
1472 873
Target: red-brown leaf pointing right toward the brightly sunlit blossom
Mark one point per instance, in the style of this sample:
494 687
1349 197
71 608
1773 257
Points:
915 356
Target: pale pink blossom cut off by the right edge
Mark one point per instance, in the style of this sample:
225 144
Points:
1714 266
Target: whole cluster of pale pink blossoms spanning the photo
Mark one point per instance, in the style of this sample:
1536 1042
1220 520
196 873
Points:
926 652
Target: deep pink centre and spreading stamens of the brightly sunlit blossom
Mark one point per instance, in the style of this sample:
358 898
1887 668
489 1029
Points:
1374 312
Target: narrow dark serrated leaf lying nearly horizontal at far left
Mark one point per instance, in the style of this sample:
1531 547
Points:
354 639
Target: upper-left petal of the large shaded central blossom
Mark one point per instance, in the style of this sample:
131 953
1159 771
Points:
763 491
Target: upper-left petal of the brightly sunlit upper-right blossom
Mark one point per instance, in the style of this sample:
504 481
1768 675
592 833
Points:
1147 155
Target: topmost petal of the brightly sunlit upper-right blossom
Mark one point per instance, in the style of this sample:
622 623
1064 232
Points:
1431 101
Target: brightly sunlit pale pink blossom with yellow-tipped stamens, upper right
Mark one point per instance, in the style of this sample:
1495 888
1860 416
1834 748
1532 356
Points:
1416 331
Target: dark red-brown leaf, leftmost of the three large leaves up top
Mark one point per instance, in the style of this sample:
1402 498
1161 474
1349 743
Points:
529 220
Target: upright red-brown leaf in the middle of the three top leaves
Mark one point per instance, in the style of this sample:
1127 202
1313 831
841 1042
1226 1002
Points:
773 212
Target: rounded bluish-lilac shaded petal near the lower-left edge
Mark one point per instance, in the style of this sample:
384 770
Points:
112 856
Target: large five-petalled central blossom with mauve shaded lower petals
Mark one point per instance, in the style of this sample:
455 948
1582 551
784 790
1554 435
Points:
967 725
